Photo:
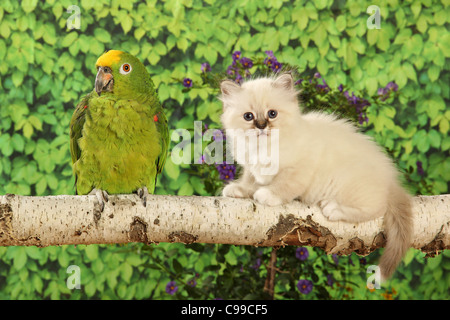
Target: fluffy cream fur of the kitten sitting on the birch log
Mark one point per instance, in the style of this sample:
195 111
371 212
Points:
322 160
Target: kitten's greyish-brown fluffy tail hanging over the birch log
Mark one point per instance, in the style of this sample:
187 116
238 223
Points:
398 225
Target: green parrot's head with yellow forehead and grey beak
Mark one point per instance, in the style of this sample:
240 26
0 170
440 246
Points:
122 75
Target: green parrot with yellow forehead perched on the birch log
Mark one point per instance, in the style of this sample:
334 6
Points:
118 132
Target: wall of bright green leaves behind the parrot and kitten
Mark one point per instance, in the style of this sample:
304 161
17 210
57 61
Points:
46 68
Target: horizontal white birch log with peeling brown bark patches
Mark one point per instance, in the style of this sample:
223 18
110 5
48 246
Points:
66 219
